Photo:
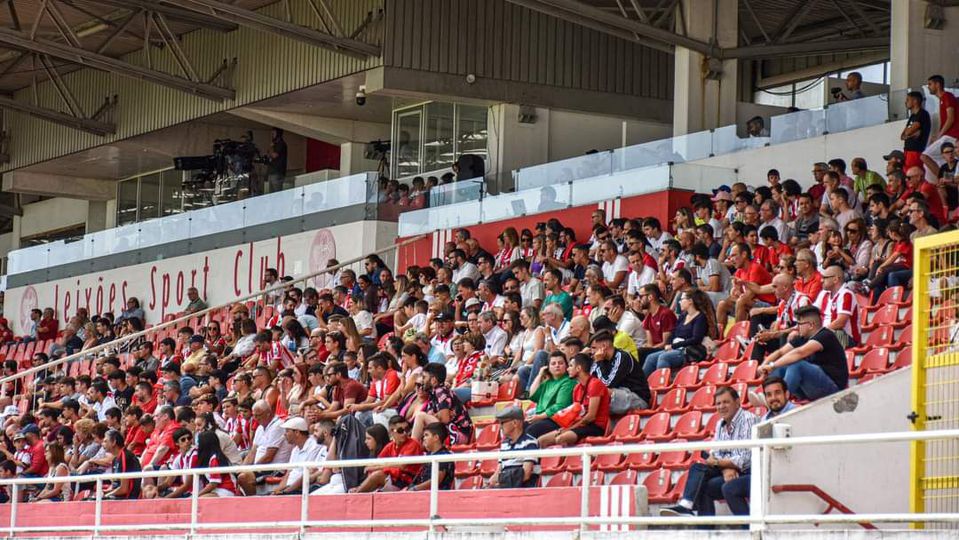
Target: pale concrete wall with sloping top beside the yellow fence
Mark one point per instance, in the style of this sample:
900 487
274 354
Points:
868 478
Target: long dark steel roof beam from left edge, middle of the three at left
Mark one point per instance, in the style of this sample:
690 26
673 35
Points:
112 65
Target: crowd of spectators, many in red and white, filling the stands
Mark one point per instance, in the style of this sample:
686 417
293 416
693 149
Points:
387 364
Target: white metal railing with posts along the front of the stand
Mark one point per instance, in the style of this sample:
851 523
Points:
758 519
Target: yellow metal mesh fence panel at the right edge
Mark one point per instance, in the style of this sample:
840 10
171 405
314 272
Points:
935 374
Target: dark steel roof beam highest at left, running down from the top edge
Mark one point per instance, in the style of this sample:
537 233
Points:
264 23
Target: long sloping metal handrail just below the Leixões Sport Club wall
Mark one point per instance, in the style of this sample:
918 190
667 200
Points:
93 351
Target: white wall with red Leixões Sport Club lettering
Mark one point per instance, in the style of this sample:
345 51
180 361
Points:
221 275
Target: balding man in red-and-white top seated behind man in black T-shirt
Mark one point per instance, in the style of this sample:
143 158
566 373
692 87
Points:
778 321
